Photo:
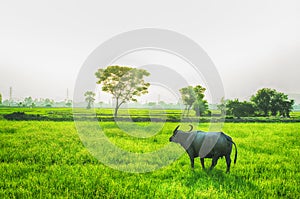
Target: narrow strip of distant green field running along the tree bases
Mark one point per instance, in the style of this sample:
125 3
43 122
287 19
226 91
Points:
137 115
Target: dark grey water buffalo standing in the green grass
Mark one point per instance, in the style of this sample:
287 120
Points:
205 145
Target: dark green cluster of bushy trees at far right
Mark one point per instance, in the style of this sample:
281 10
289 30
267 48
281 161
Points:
265 102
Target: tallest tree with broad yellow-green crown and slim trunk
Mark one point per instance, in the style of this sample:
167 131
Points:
124 83
